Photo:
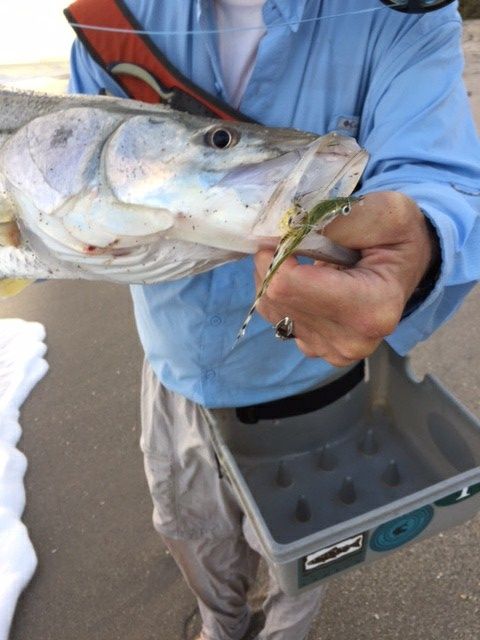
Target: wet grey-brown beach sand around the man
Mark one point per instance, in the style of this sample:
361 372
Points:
103 574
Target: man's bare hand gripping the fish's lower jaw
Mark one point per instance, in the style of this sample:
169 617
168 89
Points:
342 315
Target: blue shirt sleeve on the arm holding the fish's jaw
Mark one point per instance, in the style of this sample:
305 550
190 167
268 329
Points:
419 131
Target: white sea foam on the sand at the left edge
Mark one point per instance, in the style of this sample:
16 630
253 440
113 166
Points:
22 365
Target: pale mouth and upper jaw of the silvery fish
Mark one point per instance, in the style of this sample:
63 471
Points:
328 167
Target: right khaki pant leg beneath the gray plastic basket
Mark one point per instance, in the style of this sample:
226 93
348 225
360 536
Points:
286 617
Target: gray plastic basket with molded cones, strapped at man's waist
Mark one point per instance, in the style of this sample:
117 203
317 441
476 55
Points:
395 460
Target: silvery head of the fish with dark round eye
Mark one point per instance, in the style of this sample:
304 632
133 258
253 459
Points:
225 182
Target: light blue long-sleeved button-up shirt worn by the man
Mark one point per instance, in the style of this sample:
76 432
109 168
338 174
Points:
391 80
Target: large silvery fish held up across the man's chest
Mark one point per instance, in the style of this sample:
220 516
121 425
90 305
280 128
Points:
104 188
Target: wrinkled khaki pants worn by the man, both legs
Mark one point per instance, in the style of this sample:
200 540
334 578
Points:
203 526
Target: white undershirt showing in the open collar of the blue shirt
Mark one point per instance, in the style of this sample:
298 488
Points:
238 49
